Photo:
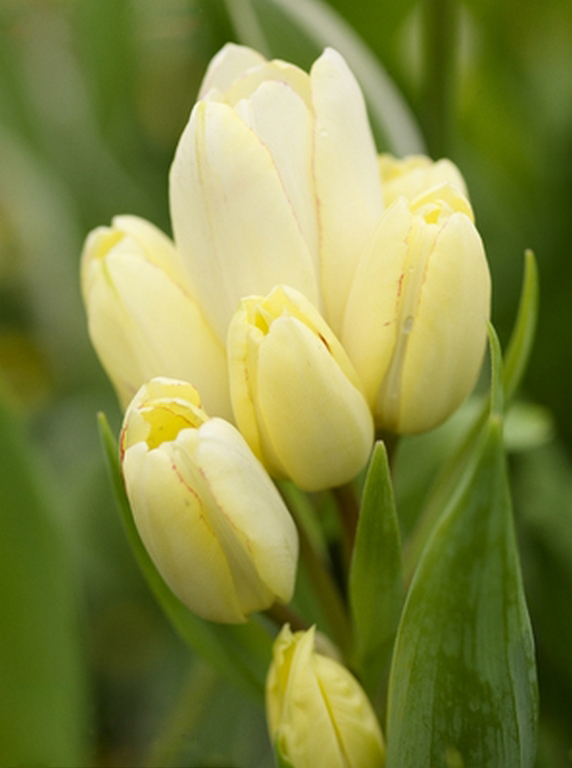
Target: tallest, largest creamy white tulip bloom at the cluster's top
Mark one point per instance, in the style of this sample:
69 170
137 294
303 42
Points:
275 181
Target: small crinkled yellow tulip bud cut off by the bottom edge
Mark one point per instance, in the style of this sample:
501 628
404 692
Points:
318 715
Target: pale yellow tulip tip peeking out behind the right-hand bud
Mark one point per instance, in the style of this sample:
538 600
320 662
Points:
415 175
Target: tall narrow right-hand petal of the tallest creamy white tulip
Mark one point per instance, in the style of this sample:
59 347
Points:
347 178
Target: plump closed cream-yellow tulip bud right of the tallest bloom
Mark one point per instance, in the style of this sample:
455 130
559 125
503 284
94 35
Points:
416 321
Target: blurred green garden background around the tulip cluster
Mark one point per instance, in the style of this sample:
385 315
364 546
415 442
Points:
93 97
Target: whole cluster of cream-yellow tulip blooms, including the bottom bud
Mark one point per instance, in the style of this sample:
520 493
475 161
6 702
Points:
314 293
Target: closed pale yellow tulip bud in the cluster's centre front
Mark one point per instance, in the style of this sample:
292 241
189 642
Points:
295 395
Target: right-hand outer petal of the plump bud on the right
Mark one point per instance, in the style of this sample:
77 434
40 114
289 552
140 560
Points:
453 308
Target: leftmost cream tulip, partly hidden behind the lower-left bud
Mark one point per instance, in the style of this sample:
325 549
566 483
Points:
142 316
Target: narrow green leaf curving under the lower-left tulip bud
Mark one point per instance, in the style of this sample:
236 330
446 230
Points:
241 652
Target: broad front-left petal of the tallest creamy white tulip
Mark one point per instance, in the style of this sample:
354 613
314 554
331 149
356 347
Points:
232 219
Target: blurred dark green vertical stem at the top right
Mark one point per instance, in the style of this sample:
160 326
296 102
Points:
438 78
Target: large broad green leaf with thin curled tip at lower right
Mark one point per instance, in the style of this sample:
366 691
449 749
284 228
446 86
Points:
463 681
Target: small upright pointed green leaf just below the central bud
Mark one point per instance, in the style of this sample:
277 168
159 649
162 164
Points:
375 581
